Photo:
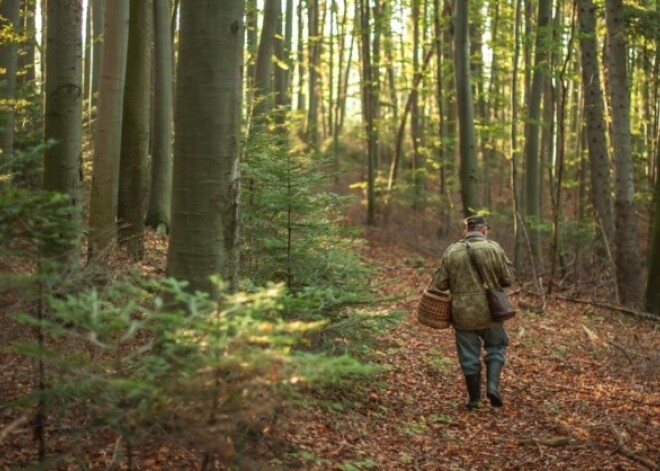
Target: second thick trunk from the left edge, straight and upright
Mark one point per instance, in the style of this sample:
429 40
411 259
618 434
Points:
63 118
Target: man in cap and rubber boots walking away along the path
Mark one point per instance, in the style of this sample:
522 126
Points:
470 314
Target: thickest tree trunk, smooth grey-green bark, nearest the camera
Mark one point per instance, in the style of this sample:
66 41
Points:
204 236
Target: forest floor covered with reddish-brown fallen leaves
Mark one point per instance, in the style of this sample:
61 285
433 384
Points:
581 390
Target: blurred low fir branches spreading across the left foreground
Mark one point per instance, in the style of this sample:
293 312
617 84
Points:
144 357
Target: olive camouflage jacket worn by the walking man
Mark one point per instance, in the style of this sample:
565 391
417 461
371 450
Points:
469 307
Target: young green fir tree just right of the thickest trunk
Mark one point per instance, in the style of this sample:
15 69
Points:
294 234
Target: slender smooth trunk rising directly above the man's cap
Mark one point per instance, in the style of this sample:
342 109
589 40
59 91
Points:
469 171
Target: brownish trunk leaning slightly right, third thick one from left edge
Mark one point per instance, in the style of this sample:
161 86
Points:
107 133
